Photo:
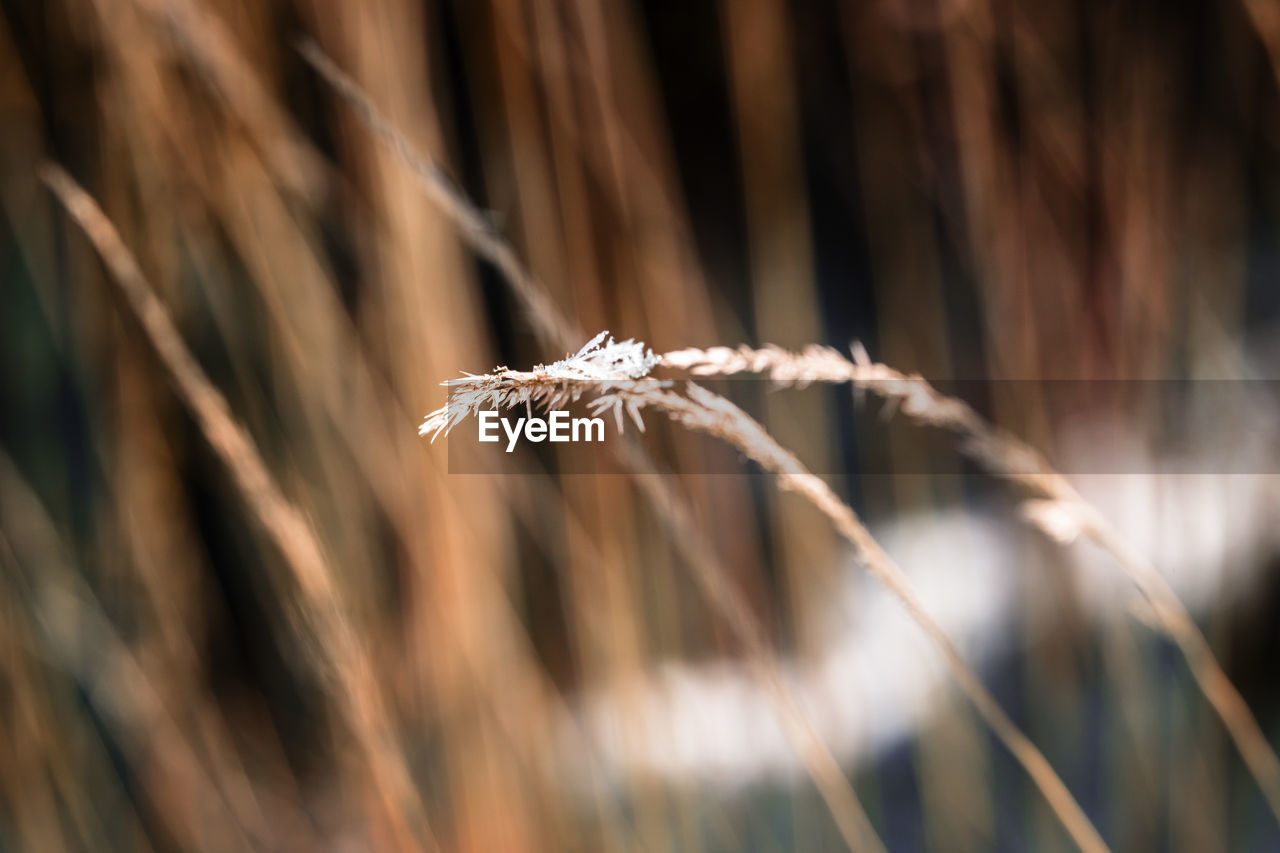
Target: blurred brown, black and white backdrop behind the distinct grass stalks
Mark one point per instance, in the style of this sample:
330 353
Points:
976 190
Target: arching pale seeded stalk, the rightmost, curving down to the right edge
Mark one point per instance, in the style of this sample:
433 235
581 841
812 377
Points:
1058 508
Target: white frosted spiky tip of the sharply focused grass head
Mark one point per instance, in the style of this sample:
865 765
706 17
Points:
614 372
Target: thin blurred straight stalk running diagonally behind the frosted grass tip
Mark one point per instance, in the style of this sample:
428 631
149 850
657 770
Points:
556 332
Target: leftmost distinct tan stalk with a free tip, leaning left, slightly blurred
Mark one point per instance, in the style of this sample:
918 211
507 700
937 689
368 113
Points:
333 647
